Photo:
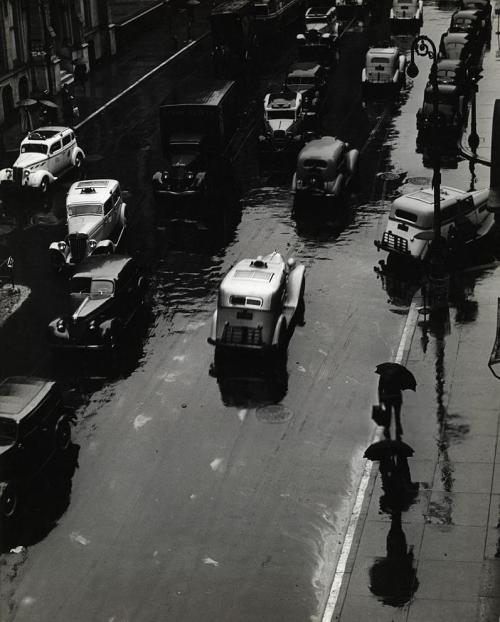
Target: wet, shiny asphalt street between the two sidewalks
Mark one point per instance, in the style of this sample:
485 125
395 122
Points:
193 491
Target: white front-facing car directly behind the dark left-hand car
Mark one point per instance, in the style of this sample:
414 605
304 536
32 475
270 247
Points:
96 219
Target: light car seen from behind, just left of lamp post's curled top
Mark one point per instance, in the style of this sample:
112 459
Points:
385 67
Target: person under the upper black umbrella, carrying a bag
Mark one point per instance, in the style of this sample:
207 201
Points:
394 378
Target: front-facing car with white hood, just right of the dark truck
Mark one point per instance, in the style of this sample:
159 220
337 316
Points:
283 121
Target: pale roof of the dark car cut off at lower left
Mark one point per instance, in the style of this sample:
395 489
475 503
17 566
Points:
19 395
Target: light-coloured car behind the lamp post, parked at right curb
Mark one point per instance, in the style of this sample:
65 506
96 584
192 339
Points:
410 228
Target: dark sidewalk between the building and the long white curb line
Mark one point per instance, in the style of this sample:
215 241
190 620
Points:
113 75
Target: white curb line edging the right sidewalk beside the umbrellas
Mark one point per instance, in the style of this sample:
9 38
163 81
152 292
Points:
410 324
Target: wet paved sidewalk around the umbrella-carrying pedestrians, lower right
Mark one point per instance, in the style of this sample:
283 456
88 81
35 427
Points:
452 423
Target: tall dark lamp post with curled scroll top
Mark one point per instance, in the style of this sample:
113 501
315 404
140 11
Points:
437 255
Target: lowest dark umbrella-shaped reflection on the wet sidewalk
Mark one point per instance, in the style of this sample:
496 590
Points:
393 579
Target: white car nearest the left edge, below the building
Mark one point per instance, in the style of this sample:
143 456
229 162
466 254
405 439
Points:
45 155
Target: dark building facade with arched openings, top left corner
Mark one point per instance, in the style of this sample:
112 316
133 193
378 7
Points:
41 42
